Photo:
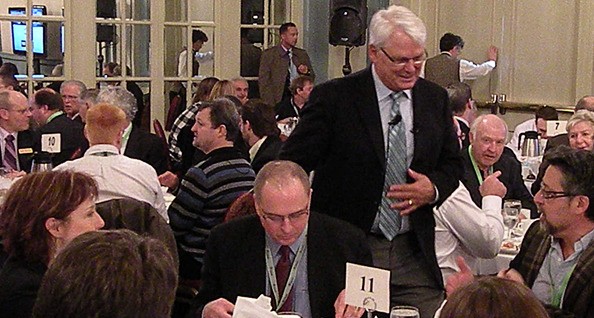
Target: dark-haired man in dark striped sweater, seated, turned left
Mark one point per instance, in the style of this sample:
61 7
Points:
208 188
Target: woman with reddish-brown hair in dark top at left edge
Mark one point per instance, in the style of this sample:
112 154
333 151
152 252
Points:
42 213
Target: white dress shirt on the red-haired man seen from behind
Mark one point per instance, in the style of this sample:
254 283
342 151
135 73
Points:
119 176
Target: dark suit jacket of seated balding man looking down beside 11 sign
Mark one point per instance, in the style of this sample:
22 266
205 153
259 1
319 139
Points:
235 264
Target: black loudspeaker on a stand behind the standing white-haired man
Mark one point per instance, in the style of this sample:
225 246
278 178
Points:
348 22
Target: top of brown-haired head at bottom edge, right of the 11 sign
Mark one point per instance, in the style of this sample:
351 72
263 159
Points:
493 297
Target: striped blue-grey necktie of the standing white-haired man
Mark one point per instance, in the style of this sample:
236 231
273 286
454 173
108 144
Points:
389 219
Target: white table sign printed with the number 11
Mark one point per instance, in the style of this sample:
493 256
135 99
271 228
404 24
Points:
368 287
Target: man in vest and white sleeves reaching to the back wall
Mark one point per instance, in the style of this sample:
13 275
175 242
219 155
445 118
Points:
447 68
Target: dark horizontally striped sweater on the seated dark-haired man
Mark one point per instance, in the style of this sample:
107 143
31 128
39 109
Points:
205 193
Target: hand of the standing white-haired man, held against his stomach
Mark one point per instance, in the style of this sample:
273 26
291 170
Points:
411 196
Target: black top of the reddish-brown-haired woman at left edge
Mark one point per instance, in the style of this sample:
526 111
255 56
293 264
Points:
19 283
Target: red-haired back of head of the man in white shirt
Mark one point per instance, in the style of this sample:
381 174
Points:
104 123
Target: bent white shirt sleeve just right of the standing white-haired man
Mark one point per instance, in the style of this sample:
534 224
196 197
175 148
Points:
479 231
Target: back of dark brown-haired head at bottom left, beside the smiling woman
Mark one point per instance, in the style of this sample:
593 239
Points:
115 273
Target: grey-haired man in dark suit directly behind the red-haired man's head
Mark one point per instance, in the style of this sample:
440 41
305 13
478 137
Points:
136 143
